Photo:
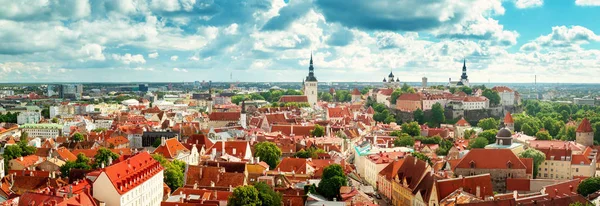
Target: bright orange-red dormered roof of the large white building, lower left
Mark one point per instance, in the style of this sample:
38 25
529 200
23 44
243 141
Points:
140 167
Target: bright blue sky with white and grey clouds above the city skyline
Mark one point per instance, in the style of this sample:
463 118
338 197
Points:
272 40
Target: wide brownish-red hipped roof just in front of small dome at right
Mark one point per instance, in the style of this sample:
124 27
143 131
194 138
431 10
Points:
491 159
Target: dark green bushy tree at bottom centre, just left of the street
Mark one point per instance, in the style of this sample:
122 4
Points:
332 180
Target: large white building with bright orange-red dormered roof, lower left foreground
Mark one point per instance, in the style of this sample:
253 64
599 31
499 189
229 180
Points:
133 182
